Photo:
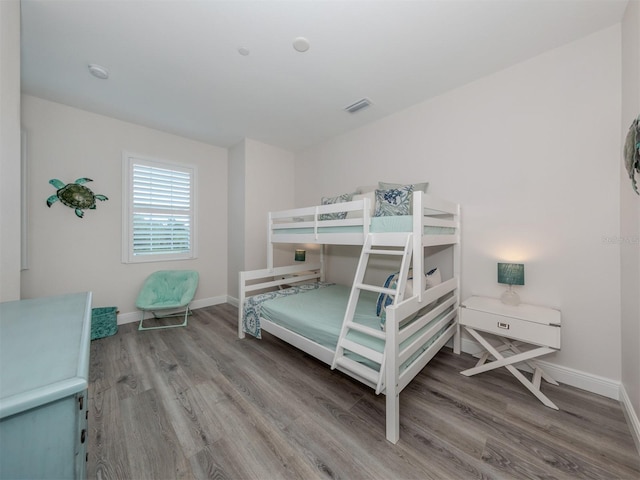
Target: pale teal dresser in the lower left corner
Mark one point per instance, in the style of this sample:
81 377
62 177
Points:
44 372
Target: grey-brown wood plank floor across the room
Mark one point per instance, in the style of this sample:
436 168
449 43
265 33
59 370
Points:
197 402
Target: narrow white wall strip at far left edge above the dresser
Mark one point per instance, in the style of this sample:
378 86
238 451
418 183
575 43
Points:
10 150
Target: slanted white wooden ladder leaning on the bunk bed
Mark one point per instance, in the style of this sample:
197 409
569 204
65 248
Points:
374 377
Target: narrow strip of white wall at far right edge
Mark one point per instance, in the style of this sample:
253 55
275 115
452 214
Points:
630 218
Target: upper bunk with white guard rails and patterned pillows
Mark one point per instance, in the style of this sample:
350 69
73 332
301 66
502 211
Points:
388 214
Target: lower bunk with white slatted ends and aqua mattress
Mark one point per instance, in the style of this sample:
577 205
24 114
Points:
310 317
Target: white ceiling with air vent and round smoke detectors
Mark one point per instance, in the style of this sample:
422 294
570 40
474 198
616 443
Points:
176 66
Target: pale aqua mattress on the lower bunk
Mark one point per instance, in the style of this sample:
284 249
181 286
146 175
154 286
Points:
318 314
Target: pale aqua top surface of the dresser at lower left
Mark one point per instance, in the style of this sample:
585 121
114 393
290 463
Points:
44 350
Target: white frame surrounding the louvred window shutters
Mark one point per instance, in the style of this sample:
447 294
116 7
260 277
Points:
130 159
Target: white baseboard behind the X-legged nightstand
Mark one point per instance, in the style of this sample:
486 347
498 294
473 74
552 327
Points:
569 376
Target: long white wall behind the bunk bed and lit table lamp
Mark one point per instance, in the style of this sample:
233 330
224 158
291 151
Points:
532 154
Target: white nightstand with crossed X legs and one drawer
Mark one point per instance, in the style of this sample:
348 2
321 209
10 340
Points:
514 326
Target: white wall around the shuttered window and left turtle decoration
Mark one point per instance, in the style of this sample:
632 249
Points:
69 254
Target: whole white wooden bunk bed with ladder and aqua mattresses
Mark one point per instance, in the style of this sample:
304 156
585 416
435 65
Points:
344 327
